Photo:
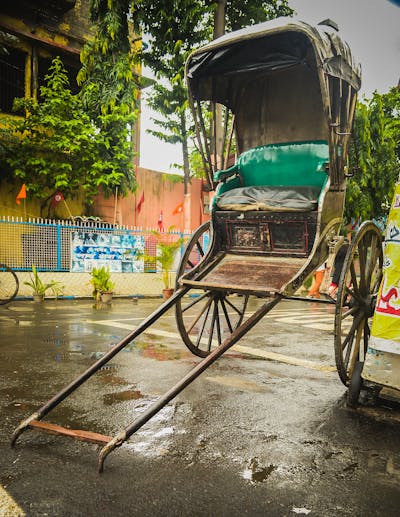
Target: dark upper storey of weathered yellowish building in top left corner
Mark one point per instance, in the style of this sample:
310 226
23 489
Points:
32 33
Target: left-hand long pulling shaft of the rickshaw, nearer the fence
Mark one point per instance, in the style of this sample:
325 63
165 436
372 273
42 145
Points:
65 392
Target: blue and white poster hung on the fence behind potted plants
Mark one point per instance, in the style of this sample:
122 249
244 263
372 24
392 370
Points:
119 253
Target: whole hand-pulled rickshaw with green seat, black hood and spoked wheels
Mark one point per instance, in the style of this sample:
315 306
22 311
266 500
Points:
282 95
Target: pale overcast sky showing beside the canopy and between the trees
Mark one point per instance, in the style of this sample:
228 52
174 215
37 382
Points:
371 28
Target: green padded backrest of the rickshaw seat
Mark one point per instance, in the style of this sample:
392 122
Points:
289 164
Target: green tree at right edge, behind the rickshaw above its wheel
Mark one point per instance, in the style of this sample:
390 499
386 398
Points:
374 156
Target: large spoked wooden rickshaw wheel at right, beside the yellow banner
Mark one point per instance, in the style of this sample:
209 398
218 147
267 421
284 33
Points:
356 299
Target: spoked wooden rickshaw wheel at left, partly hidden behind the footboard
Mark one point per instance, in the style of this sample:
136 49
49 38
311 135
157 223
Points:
208 317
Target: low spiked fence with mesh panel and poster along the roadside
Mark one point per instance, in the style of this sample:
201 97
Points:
77 246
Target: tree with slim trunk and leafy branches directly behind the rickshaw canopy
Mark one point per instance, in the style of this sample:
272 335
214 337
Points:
176 27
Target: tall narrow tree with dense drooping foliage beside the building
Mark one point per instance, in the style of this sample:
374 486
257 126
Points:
109 84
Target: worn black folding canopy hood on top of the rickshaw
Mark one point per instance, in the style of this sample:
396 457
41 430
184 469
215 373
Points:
216 71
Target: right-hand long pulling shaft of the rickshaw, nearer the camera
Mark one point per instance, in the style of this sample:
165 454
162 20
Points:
119 439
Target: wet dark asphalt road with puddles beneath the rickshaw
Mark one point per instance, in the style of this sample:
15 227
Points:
251 436
